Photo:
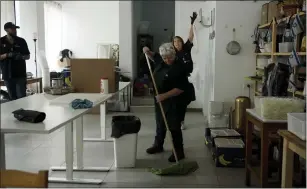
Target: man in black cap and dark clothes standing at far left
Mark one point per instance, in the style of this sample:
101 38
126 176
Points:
14 52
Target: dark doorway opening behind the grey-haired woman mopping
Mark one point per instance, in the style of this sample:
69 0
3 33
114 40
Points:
159 16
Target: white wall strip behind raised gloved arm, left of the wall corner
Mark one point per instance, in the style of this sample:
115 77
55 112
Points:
201 49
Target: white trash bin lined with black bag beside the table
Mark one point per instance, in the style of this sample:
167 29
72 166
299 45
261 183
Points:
124 132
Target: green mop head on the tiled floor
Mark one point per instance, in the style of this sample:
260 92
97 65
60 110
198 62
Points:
182 168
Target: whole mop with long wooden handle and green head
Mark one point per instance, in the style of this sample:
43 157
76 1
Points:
180 168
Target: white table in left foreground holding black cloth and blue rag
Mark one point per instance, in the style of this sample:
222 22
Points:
57 116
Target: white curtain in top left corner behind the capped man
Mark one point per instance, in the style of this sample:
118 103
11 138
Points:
7 14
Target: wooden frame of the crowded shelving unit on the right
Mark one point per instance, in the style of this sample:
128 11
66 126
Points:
273 54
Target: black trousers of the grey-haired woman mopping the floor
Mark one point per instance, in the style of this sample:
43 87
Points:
174 123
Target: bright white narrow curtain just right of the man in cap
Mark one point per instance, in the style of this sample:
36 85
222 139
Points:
53 33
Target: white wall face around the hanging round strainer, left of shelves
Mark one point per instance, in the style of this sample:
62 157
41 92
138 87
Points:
230 70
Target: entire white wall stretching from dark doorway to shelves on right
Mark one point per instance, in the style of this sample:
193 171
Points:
221 75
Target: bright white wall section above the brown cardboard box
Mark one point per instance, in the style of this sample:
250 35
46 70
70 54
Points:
87 23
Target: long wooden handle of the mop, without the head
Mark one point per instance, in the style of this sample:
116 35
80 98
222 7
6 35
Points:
162 111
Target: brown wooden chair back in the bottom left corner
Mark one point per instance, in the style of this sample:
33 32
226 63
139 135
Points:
21 179
